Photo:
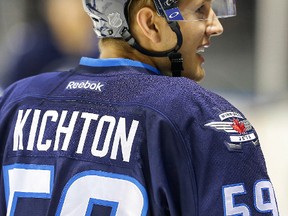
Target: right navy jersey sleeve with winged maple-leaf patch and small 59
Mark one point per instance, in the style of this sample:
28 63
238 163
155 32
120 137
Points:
229 166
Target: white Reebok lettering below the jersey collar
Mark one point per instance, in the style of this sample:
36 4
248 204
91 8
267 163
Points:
88 85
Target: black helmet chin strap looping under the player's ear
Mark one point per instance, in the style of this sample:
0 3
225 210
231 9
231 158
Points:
174 56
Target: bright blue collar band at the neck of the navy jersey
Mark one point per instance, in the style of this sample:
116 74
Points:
114 62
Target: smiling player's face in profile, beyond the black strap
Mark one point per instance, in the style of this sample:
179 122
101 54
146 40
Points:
196 36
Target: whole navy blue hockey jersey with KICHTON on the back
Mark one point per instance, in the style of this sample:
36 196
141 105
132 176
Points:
114 137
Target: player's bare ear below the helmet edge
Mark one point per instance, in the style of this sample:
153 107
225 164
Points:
148 23
